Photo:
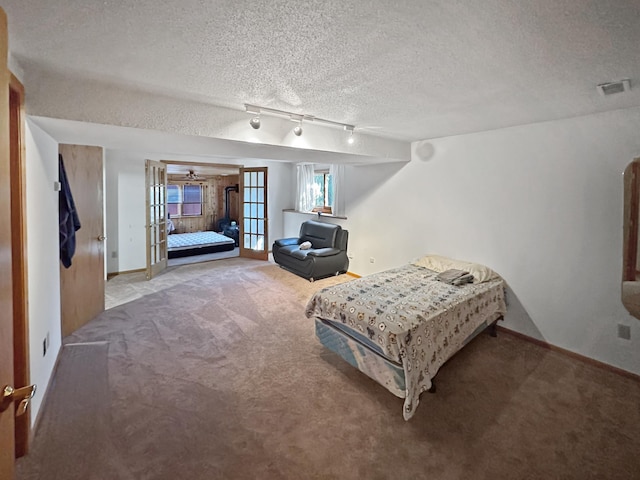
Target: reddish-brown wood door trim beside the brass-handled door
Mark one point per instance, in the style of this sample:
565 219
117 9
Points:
19 256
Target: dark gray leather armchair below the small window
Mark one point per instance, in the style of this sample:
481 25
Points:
327 255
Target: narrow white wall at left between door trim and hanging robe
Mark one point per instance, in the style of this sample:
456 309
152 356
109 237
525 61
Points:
42 257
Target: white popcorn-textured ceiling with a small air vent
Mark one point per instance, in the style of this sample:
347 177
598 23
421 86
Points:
408 70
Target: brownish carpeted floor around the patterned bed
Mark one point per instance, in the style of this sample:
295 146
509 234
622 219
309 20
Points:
217 375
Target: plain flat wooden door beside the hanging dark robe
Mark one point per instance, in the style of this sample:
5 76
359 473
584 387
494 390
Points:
82 285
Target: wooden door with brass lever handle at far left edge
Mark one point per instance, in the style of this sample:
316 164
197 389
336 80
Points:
7 422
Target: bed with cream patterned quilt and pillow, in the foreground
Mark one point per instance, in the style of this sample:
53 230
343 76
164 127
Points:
401 325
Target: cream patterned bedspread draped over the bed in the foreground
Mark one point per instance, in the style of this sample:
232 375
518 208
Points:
415 319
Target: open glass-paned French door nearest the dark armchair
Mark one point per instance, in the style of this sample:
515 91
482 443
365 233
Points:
254 238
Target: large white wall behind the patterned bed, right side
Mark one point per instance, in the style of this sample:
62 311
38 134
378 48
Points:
541 204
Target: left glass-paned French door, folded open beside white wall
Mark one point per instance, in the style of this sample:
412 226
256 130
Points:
156 183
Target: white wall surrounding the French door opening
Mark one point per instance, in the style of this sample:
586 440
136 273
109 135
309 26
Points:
125 203
